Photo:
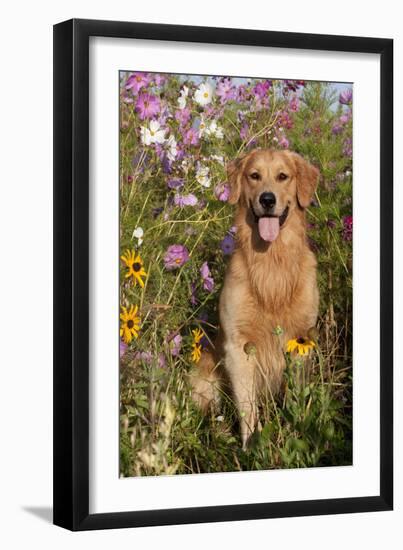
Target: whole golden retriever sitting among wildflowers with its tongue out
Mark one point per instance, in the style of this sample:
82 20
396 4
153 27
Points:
270 282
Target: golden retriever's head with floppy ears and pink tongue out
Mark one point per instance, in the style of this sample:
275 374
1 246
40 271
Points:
270 185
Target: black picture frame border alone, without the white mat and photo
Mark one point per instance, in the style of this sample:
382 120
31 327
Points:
71 274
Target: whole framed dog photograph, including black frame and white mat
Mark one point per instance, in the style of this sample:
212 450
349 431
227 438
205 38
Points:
223 265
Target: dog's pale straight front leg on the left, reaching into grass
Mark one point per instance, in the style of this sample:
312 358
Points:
242 374
